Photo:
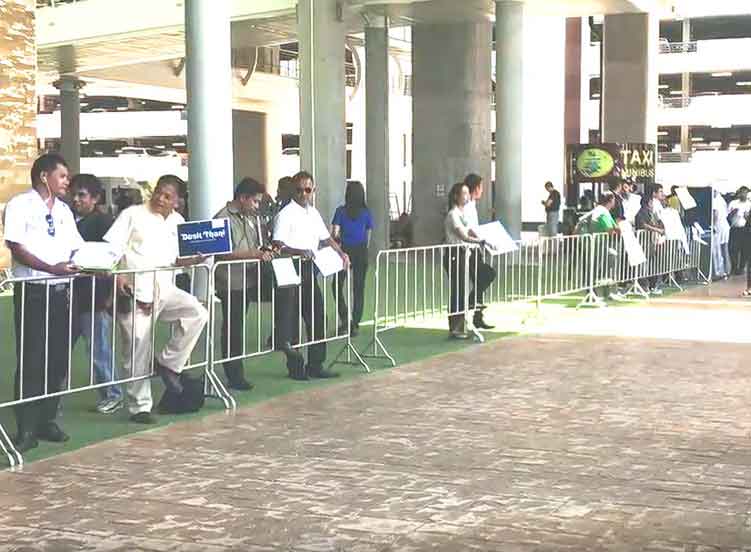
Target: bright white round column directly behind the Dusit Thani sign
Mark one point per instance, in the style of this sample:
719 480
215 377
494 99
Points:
209 91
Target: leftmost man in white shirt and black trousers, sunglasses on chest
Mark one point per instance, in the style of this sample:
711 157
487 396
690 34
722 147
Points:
41 233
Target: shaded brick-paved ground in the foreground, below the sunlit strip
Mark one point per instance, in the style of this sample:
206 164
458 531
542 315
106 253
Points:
548 443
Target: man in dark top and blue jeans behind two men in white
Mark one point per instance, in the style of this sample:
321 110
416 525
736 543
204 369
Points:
87 192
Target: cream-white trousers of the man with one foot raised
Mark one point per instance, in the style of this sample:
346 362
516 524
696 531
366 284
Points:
188 318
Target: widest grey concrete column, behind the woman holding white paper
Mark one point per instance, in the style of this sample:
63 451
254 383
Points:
451 71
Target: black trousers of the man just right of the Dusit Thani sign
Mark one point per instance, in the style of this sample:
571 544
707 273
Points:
234 312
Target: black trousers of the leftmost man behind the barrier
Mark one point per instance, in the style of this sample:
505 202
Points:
44 342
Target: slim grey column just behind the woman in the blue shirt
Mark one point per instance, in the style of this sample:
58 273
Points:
377 129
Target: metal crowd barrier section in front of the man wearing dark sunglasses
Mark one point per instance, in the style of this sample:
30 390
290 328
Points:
257 295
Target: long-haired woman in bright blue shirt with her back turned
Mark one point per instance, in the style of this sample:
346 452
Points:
351 227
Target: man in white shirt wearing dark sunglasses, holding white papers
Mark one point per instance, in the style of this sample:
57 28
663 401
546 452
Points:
299 230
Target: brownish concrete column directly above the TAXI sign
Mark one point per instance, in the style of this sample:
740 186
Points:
630 78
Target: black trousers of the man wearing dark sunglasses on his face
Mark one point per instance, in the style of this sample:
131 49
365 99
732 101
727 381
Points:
306 301
